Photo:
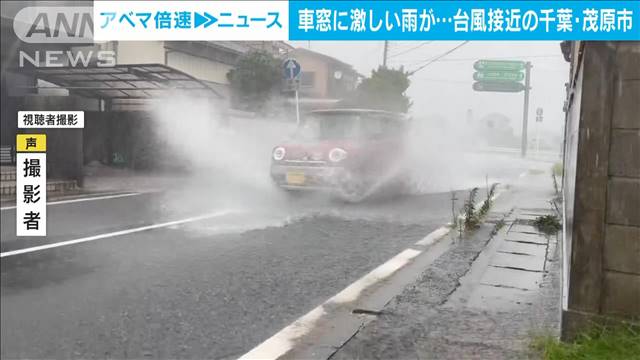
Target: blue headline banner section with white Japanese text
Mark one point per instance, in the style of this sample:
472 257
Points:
464 20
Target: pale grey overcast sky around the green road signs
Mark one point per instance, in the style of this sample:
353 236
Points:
444 87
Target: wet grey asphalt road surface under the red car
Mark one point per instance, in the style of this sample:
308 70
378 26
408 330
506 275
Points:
213 288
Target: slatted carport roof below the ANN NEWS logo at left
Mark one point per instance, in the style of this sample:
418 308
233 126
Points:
139 81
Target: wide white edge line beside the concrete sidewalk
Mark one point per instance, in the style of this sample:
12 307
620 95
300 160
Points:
284 340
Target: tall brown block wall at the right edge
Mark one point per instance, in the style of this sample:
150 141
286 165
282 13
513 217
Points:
602 192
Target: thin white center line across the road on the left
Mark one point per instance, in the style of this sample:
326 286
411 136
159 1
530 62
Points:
114 234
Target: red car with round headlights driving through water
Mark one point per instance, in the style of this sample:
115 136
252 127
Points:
348 152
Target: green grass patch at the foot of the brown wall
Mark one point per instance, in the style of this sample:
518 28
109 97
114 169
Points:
621 343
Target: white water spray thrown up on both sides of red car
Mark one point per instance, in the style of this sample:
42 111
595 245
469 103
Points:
229 158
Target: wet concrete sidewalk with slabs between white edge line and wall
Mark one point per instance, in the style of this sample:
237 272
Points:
486 298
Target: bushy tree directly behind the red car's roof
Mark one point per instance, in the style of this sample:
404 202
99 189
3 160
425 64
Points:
385 90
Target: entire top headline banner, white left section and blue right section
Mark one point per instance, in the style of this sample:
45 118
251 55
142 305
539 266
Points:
366 20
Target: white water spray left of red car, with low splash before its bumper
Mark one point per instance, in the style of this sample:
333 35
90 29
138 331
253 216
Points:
228 159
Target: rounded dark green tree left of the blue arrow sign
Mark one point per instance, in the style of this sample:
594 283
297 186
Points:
254 80
